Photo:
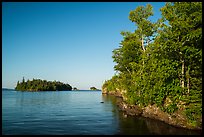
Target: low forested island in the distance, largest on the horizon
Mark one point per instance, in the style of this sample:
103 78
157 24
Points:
42 85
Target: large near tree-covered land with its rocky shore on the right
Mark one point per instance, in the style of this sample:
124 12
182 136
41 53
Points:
159 65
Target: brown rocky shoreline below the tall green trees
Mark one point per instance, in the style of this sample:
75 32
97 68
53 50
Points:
177 119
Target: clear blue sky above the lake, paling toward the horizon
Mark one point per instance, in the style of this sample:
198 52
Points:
70 42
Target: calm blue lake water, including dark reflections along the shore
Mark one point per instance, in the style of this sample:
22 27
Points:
74 113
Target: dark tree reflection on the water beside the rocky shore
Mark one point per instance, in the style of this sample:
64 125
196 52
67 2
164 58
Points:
132 125
